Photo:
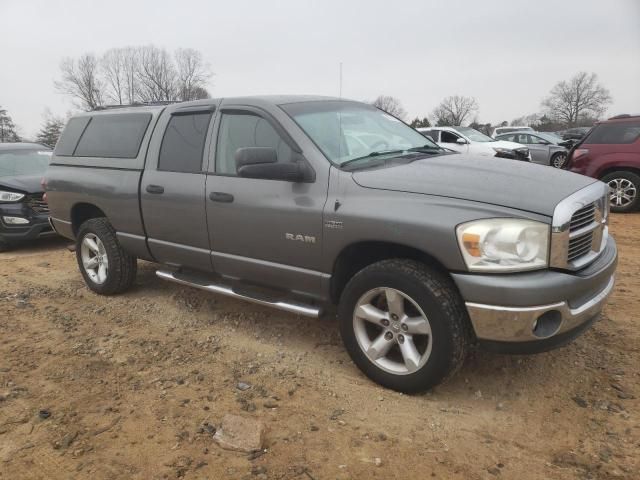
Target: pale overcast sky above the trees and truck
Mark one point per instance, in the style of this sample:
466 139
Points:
506 53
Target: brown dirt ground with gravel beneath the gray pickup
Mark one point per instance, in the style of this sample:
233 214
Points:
132 387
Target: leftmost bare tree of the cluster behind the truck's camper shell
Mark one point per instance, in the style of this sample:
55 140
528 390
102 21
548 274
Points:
80 79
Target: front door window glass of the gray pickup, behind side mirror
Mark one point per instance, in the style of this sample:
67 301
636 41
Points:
240 130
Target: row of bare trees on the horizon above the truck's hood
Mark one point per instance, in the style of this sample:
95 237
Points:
579 101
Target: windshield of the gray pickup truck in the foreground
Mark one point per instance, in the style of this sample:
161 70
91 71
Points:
346 131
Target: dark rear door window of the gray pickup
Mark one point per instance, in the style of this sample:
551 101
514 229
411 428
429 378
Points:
183 143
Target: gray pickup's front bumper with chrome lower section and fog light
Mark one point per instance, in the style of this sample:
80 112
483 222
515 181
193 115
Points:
537 311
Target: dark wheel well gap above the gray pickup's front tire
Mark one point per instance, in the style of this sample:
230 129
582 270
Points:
355 257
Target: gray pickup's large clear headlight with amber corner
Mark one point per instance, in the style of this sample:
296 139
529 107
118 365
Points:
504 244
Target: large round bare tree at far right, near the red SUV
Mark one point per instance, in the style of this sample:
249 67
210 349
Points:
581 96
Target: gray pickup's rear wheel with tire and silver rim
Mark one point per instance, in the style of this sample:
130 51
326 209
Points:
97 245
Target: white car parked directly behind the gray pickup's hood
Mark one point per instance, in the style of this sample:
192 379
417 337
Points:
469 140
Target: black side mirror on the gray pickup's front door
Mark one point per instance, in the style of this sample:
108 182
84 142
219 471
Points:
262 163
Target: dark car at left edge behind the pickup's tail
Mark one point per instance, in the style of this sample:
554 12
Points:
24 214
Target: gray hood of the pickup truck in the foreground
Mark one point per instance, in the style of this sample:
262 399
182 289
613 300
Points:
496 181
